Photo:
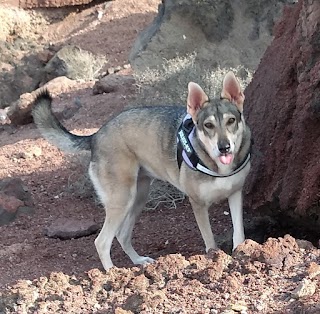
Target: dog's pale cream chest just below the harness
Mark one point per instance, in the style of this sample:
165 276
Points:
218 189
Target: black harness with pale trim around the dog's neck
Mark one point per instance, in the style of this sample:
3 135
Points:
186 152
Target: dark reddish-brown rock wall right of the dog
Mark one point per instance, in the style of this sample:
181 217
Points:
283 110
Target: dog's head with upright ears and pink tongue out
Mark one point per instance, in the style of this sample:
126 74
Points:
219 122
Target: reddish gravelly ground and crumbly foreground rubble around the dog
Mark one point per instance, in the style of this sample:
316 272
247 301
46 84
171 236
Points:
45 275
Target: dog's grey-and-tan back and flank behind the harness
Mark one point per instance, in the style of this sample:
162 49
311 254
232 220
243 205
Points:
148 132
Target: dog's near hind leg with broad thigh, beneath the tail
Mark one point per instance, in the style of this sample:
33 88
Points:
117 193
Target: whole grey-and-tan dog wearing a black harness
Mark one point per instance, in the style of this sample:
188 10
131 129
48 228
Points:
203 150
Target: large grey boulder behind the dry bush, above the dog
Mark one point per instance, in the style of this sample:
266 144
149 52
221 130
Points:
224 33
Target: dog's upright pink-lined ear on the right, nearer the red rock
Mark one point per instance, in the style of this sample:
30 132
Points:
231 90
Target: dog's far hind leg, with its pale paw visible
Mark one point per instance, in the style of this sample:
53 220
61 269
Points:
124 235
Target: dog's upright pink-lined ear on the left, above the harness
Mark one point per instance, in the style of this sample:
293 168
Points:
196 99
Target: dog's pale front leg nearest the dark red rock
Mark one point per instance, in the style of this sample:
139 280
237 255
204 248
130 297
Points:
235 204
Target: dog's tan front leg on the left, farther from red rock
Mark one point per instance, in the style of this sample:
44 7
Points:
202 217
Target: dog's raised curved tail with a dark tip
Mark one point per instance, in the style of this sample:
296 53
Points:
51 128
